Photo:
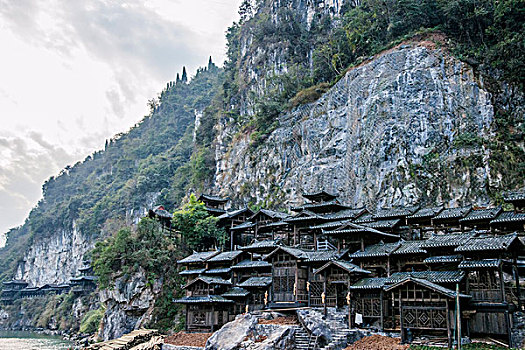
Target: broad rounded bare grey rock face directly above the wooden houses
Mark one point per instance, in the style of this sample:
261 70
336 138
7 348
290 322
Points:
407 126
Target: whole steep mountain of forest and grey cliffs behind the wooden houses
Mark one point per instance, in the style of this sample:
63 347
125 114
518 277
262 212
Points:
384 102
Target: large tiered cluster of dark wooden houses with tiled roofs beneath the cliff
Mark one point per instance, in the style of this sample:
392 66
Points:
394 269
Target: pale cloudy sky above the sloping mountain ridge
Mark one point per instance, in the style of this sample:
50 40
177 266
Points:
73 73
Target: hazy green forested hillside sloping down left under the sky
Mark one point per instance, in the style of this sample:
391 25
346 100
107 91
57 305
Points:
155 162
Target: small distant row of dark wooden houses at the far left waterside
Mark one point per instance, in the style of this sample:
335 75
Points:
82 284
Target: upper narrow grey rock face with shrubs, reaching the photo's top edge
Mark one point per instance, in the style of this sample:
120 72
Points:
278 37
